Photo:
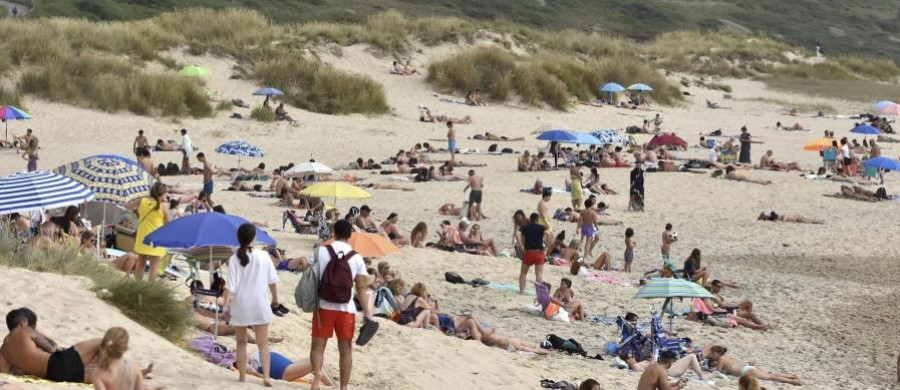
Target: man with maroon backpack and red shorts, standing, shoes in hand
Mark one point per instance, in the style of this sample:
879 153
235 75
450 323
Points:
336 314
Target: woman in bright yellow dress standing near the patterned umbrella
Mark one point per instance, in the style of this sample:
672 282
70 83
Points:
151 216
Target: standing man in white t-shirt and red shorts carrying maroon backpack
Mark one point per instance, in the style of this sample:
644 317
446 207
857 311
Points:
338 318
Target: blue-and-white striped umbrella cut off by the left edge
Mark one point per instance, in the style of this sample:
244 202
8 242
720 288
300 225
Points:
39 191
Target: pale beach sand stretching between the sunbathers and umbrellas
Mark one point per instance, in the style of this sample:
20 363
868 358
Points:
829 290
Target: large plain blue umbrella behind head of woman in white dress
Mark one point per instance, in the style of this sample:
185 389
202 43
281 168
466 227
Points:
203 230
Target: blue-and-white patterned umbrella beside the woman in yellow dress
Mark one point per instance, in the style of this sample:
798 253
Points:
113 179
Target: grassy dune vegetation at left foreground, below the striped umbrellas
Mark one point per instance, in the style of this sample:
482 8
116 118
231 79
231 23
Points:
153 305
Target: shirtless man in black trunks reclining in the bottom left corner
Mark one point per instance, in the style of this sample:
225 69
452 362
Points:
27 350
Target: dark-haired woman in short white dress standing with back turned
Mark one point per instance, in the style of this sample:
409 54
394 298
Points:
250 273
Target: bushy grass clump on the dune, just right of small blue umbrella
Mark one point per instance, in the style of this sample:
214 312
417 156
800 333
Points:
315 86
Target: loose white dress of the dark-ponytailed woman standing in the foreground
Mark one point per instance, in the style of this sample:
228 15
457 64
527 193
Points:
249 287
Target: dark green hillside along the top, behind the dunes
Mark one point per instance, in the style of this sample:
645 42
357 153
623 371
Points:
841 26
